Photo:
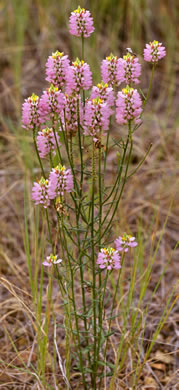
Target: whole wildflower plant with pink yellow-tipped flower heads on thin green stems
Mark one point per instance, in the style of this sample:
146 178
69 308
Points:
73 134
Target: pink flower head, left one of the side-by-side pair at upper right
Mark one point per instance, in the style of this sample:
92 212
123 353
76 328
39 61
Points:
109 70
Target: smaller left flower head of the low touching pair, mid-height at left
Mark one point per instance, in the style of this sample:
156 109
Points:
40 193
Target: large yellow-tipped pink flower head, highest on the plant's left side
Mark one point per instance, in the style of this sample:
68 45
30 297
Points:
56 68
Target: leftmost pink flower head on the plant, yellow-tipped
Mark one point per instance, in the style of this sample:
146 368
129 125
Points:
30 112
